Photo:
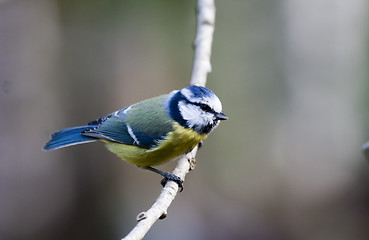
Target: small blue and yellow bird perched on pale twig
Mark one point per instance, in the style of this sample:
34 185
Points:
153 131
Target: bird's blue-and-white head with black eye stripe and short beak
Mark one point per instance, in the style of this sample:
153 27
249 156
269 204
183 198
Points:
197 108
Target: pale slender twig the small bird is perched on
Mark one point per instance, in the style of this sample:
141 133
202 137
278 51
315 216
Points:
201 67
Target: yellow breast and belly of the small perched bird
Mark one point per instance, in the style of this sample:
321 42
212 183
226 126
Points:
176 143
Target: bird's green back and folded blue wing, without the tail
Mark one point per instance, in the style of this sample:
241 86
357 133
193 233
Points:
136 125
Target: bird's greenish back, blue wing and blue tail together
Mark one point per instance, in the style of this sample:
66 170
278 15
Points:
142 124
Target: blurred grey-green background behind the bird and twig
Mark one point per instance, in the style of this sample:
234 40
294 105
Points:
293 79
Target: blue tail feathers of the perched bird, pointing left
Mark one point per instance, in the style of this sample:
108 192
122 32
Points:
68 137
